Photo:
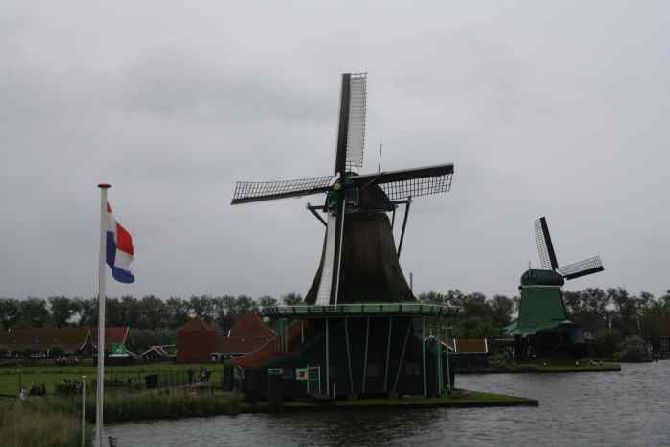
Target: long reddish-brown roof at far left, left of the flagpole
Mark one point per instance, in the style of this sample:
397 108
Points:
41 339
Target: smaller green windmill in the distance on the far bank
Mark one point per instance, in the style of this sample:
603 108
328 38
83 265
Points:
542 328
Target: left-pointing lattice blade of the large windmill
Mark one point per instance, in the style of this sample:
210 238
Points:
279 189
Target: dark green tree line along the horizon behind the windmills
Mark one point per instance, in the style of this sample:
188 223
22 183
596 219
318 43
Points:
614 311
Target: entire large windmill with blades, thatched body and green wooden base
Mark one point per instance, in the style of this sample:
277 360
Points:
361 331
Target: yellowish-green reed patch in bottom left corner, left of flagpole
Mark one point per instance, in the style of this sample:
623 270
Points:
37 422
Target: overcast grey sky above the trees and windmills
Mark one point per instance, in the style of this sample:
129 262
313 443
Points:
546 108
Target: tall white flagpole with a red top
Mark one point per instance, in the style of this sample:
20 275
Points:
102 273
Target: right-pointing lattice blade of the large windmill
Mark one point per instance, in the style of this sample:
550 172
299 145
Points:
401 185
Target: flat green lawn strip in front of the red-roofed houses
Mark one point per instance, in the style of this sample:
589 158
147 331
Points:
50 375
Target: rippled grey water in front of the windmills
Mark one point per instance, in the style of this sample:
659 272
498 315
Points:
630 408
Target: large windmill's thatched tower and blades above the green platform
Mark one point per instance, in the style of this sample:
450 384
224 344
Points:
359 261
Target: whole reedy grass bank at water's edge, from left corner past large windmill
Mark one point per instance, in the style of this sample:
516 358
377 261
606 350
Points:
56 420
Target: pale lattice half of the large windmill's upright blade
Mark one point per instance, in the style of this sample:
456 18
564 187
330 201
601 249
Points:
357 119
